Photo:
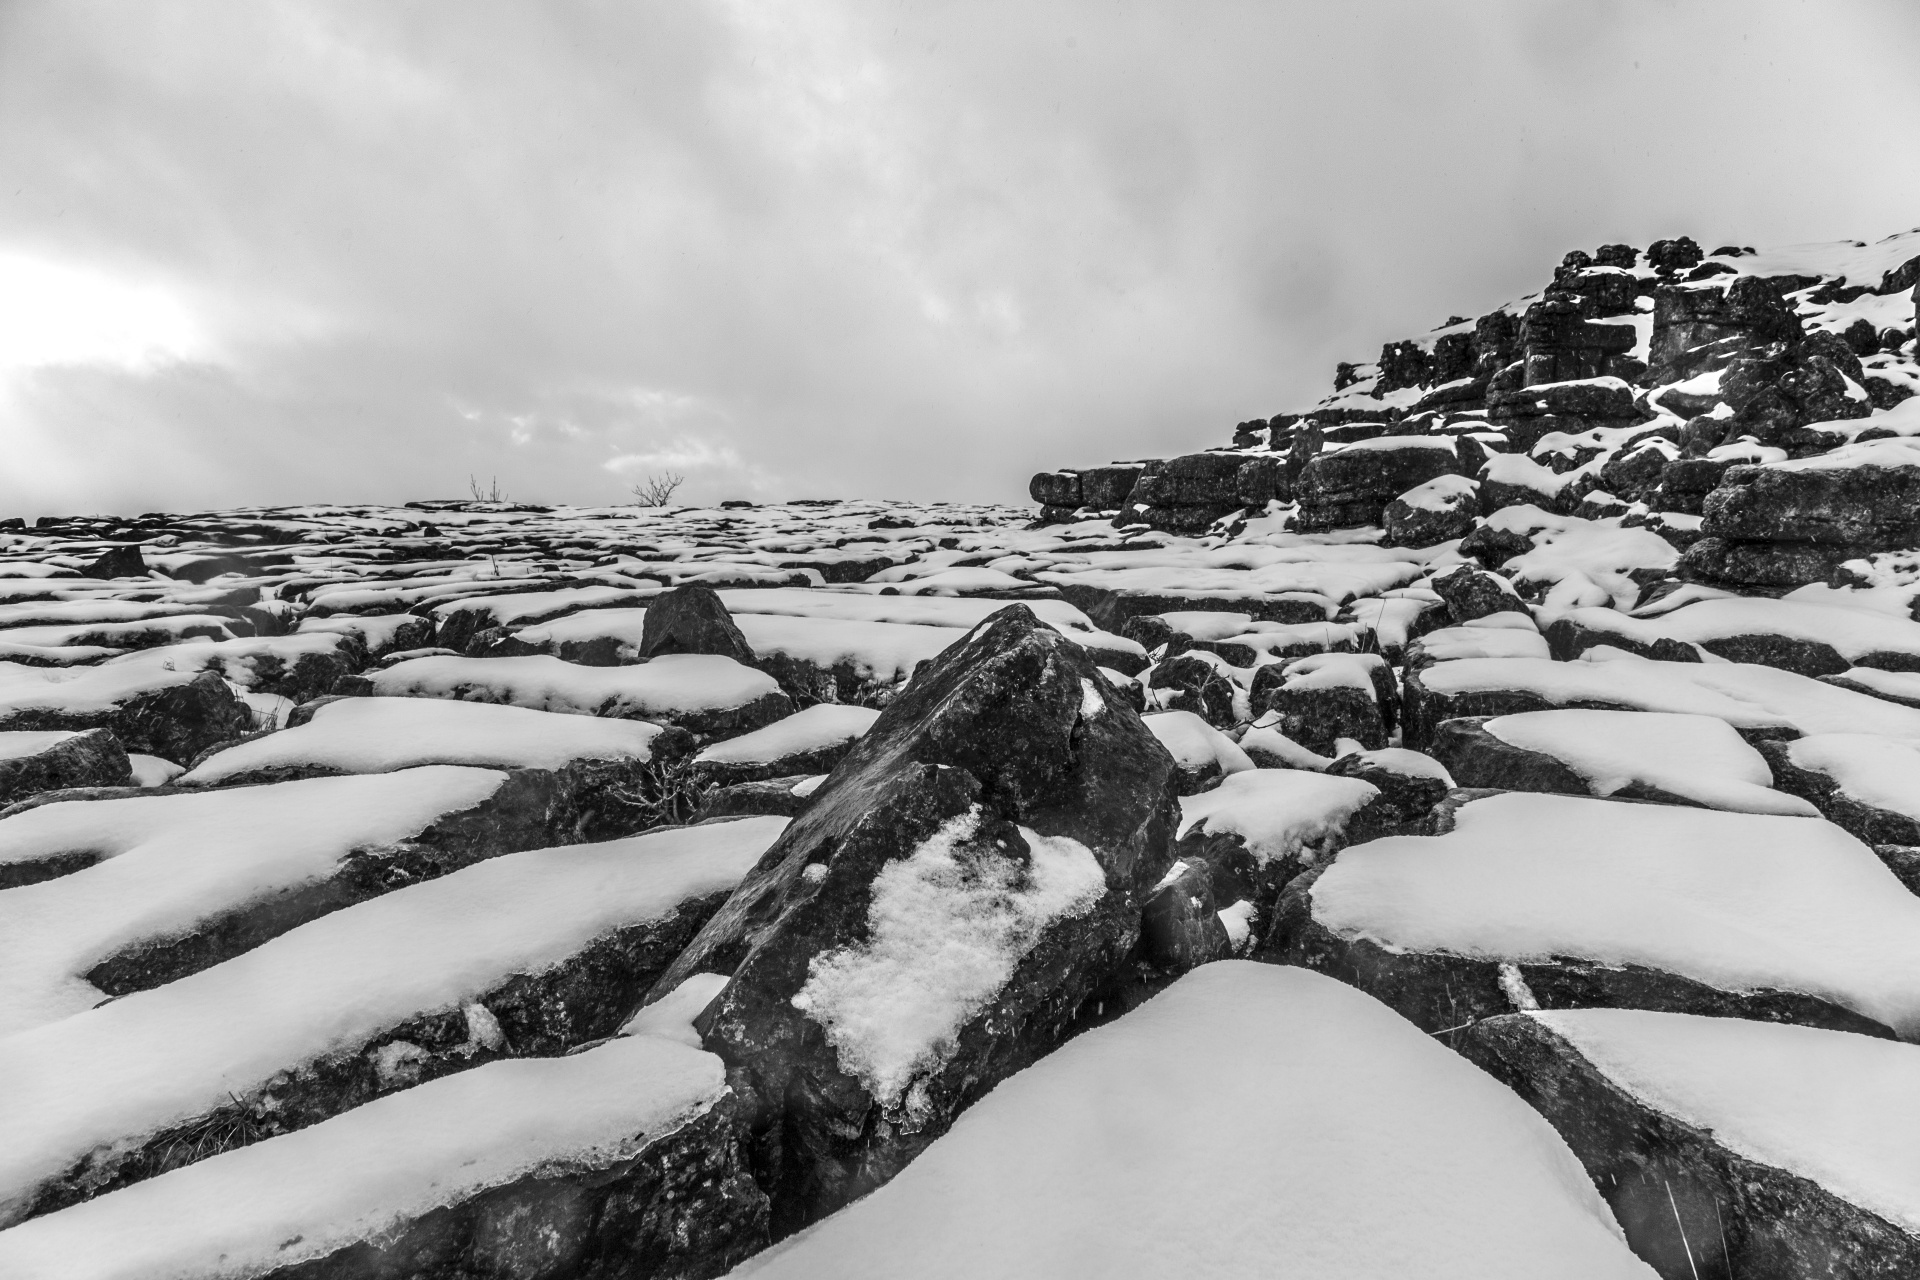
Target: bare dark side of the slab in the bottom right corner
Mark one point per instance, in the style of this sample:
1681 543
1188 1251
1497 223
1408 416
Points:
1689 1204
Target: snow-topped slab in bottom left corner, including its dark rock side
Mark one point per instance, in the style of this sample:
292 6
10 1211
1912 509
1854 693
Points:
619 1160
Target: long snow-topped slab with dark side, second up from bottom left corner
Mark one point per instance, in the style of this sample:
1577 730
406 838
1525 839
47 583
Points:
525 955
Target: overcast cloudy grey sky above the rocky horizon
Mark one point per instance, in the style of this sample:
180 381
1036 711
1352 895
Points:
283 252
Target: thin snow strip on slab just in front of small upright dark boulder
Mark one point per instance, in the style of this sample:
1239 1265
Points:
661 690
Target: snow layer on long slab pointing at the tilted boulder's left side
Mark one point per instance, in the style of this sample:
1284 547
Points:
160 1058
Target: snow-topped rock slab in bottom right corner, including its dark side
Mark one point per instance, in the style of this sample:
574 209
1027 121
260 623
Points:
1729 1149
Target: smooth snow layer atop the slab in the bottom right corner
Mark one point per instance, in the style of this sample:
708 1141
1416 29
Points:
1858 1133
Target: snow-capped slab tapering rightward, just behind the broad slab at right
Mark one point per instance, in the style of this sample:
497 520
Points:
1633 755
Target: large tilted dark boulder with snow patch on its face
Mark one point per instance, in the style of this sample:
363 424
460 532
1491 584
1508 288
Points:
1005 769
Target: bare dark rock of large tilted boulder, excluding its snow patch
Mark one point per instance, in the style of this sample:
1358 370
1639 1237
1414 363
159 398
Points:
1011 728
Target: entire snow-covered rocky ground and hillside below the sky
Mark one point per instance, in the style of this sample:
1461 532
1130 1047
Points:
1466 828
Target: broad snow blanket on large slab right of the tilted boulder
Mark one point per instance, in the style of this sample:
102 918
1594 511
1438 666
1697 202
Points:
1733 901
